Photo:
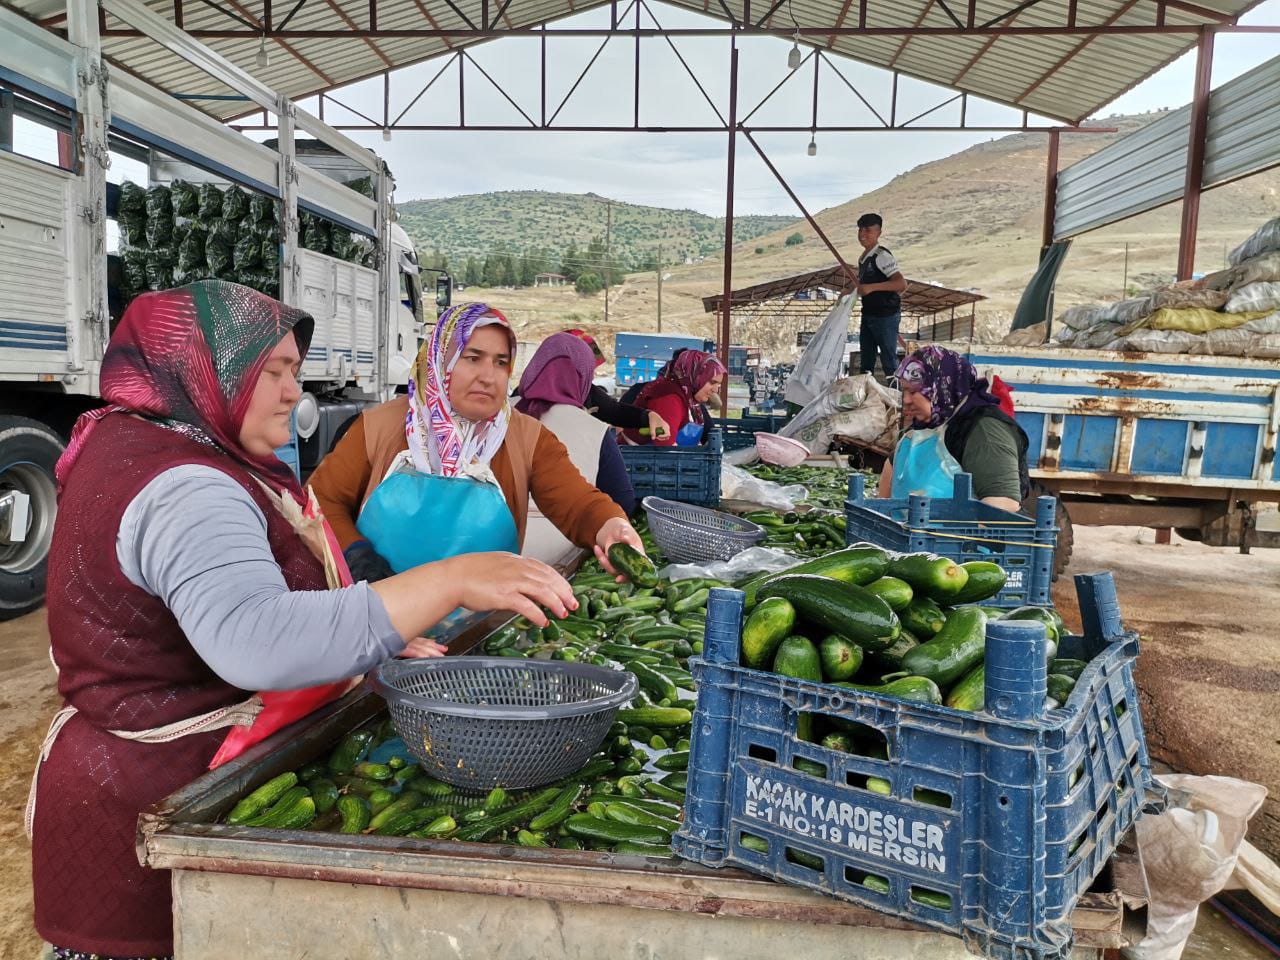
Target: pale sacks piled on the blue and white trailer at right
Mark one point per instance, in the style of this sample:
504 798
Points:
1231 313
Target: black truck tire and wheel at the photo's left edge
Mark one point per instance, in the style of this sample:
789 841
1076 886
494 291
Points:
29 451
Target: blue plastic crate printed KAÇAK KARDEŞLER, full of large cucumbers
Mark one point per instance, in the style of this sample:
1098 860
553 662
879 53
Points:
1039 799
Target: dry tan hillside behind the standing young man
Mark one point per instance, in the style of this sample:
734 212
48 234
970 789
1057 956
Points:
972 220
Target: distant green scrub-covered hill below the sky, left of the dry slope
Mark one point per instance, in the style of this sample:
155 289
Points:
478 225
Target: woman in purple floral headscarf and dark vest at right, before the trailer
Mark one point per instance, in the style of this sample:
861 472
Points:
954 424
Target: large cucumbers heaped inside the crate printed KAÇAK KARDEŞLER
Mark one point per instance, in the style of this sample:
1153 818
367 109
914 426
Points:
904 625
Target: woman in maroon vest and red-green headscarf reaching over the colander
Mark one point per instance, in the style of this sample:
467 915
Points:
179 586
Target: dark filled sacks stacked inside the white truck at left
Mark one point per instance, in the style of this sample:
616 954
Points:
185 232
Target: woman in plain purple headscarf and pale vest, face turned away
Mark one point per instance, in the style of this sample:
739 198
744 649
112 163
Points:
554 390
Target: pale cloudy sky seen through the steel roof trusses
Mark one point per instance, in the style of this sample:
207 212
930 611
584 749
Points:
638 168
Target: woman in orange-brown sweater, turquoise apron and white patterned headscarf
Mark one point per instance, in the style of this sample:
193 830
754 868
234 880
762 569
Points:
451 468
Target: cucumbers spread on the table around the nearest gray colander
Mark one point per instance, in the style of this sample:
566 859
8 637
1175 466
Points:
628 799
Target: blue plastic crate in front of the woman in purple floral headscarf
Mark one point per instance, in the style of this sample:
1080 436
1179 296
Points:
963 529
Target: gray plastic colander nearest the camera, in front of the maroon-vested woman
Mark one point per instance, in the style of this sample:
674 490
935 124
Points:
483 723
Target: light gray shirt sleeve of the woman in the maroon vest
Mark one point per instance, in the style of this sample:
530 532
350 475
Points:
195 540
